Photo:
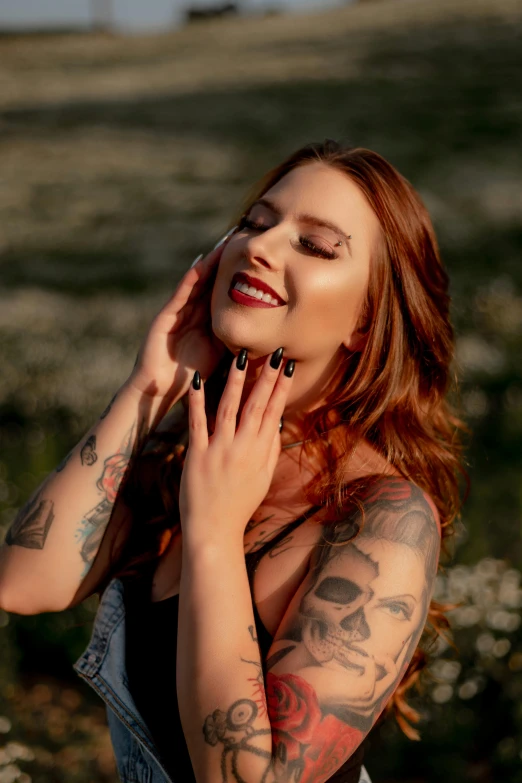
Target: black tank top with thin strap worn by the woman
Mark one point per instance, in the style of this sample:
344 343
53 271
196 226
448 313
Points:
151 649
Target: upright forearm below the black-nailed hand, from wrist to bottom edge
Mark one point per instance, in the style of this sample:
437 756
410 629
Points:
220 687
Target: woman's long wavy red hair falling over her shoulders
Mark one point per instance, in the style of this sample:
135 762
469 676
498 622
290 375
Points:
393 393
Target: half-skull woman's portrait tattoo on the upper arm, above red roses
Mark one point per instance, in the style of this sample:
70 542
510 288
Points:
366 602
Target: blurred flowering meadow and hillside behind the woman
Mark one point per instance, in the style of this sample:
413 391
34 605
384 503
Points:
129 133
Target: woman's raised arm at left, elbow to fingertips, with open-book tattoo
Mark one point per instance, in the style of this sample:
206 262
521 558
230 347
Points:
59 547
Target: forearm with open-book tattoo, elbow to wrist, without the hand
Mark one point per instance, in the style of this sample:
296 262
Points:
54 540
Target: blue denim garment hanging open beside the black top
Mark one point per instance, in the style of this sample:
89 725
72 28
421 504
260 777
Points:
102 666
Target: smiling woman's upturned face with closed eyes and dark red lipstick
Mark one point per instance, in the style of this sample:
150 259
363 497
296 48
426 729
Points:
319 285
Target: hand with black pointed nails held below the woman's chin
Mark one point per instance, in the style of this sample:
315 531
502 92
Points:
227 475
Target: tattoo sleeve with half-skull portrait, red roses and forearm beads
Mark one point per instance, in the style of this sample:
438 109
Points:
339 655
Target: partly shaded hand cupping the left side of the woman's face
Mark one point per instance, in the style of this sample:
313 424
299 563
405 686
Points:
180 339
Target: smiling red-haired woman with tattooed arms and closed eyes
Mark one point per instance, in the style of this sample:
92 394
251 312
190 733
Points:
273 579
